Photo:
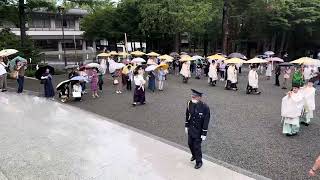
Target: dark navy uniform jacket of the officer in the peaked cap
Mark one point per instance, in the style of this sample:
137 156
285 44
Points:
197 119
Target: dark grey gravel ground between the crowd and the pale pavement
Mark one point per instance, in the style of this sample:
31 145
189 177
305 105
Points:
245 130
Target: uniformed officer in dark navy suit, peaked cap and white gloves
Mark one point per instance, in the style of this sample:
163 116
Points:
196 125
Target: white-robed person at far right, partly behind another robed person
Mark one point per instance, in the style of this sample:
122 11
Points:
309 93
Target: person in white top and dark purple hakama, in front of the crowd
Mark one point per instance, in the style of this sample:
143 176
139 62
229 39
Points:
139 91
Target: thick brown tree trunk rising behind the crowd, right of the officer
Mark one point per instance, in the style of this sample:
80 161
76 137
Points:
225 26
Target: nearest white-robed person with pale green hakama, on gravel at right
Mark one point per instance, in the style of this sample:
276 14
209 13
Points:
291 109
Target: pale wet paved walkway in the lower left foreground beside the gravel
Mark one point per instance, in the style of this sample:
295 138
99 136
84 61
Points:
42 139
